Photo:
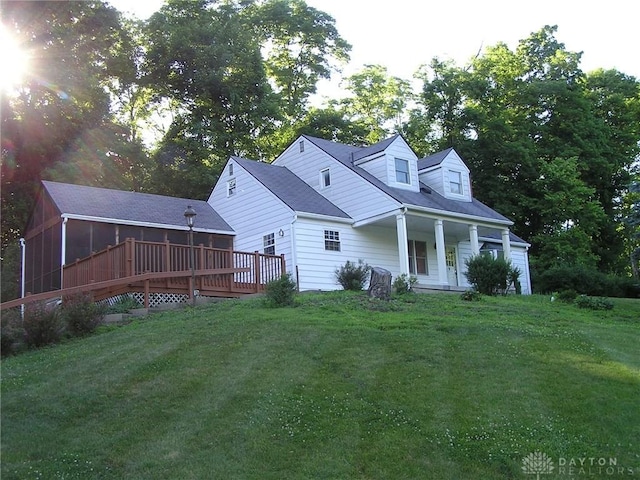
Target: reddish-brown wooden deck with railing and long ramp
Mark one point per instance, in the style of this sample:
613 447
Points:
152 267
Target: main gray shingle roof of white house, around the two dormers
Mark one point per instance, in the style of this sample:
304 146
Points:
345 154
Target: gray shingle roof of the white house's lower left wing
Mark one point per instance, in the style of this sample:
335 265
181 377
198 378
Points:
294 192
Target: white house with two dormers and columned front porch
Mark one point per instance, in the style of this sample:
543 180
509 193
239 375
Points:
321 203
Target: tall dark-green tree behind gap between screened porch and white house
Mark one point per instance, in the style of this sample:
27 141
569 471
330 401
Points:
202 57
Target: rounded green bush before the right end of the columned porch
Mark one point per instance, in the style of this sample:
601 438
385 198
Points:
491 276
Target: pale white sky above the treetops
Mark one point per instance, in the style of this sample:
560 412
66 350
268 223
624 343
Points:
401 35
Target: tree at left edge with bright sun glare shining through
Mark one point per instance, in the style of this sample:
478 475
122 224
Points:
72 46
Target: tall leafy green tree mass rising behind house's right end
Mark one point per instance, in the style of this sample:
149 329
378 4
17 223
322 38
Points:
525 120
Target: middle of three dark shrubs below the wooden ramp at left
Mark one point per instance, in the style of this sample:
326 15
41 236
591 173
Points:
42 324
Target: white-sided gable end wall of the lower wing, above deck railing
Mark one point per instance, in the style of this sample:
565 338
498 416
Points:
252 212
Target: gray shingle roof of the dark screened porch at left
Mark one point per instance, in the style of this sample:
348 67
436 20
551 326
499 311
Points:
132 207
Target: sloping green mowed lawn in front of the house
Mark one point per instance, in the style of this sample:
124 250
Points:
337 387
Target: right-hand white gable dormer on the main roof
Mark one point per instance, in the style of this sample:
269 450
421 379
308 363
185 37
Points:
447 174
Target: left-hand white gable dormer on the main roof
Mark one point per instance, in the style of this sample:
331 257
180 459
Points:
391 161
